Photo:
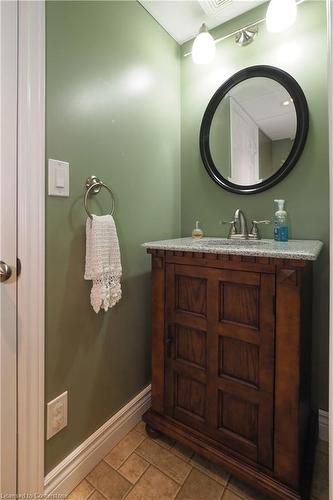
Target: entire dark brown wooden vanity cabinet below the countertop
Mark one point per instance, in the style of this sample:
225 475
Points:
231 364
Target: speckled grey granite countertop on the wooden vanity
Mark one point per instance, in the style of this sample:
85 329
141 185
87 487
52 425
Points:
293 249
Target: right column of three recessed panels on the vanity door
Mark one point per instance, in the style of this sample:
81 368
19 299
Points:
244 325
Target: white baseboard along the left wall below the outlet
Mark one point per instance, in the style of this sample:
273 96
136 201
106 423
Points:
70 472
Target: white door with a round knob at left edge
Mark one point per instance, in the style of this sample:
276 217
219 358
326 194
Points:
8 245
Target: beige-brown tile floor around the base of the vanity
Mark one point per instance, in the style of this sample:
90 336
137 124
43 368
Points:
140 468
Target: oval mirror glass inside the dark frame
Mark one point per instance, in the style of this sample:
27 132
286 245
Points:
253 131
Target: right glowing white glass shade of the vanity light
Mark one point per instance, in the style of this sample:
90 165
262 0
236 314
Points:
281 15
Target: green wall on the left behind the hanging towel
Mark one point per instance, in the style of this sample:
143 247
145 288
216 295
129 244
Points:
113 110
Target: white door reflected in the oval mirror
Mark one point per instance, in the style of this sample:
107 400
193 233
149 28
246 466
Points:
244 146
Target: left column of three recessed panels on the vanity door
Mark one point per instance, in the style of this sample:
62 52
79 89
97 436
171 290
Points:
186 344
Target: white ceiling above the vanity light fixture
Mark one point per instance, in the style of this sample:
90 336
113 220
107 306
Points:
182 19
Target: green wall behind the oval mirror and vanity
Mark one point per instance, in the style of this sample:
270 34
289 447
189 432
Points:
302 52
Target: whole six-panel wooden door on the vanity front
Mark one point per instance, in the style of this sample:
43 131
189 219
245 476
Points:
220 356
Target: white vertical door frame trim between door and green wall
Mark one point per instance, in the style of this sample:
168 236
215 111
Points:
31 245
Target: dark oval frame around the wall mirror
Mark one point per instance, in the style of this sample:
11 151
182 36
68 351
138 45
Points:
302 113
